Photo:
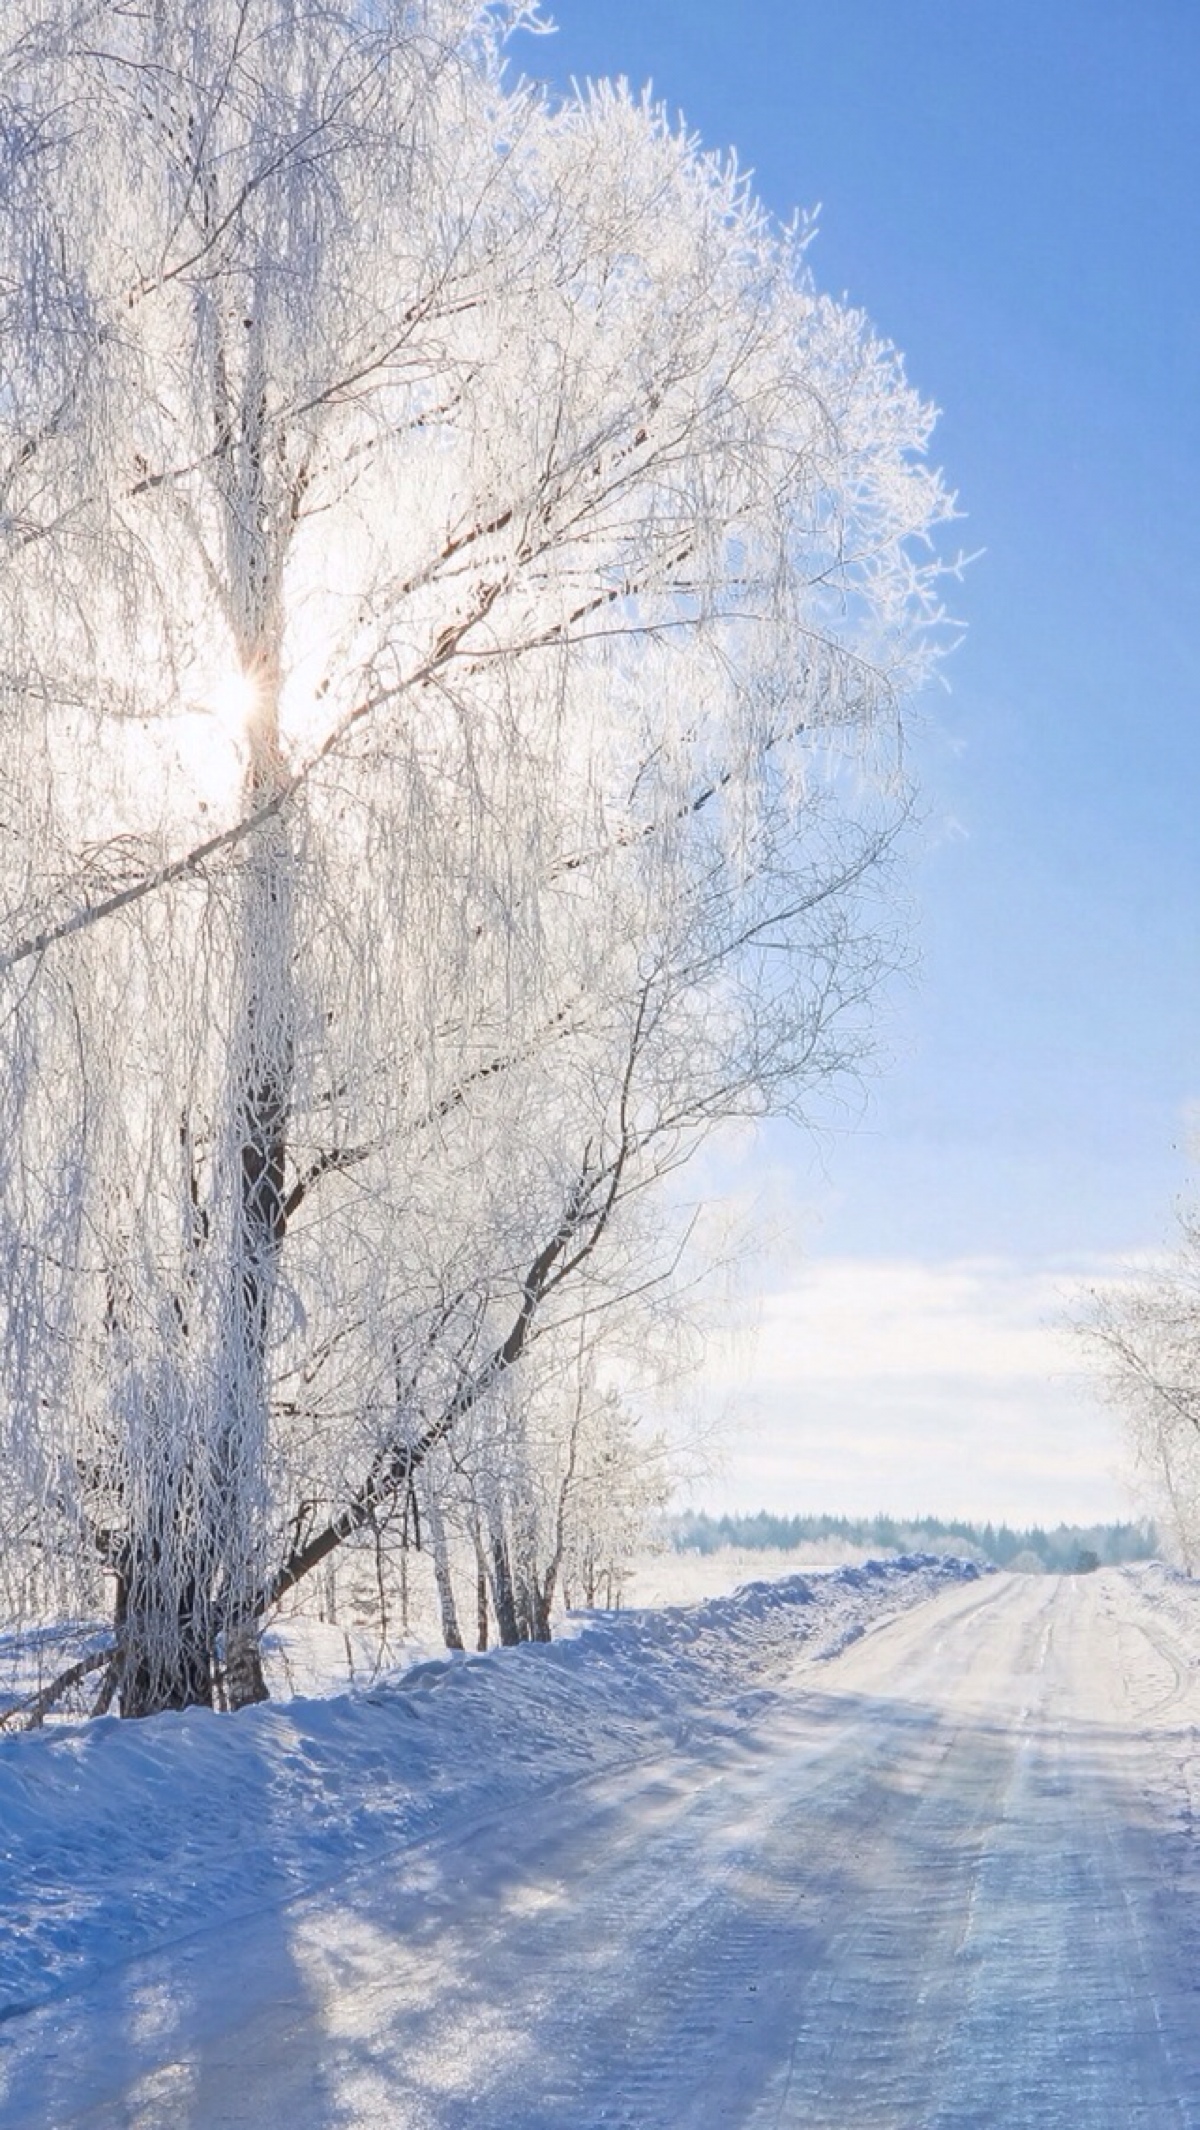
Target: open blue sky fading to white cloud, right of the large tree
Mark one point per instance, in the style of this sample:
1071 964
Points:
1013 195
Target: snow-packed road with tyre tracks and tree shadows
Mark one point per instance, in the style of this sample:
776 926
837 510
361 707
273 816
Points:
945 1882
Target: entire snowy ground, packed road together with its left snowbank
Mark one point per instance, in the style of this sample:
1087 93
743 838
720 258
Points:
813 1854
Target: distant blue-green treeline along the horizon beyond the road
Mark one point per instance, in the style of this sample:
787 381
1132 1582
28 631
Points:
1065 1550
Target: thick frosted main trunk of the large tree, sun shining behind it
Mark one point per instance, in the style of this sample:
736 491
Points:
195 1575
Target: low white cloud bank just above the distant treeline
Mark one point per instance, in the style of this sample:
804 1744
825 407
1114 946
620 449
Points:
909 1386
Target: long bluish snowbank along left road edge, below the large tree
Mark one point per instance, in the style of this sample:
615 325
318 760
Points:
118 1837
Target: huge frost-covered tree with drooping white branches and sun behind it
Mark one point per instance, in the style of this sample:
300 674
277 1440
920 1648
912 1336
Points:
459 591
